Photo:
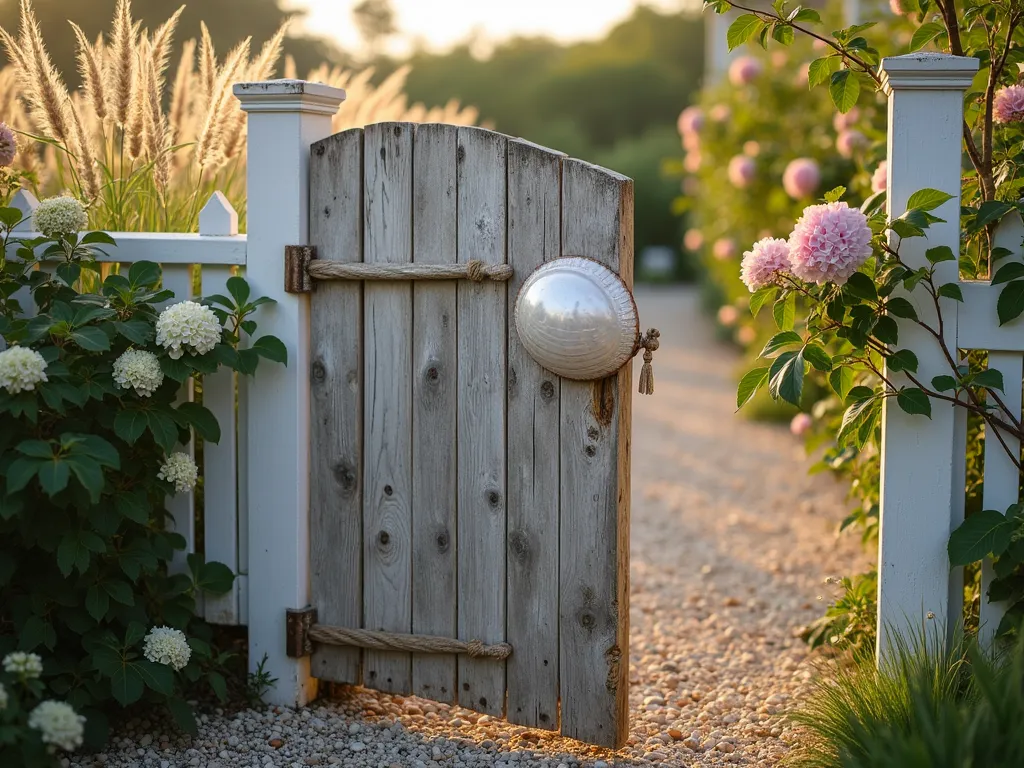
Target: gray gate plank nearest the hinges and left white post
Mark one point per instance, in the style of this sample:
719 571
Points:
336 402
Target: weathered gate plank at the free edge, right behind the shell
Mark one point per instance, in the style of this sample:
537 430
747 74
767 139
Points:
598 223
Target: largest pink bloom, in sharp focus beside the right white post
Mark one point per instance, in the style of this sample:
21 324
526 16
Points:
830 243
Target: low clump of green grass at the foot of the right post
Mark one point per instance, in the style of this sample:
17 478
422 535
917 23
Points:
928 707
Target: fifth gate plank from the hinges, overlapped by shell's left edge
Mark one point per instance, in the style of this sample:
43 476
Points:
534 394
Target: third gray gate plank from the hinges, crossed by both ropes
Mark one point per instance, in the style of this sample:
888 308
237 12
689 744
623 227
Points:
435 386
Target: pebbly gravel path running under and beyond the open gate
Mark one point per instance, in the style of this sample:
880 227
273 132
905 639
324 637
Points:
731 545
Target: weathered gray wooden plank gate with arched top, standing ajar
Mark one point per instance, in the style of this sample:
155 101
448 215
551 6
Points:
459 490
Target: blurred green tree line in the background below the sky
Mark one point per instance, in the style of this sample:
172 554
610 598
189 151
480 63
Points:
613 102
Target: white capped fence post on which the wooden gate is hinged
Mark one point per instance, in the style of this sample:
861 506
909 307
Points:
285 118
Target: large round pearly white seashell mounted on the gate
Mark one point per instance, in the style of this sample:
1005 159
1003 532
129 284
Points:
577 319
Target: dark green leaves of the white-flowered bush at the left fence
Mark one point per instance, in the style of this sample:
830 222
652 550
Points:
86 546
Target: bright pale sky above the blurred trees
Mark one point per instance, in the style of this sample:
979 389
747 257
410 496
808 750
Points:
441 24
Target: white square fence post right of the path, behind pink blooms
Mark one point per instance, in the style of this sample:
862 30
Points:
921 500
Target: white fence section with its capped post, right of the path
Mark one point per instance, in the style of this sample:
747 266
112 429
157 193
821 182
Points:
924 460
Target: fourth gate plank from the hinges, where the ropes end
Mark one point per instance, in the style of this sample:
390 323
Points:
482 317
